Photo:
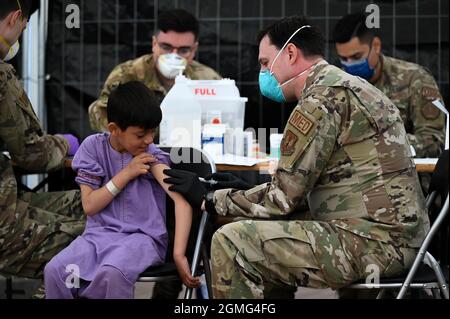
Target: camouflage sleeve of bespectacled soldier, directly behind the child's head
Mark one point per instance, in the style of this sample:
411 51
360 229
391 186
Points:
97 110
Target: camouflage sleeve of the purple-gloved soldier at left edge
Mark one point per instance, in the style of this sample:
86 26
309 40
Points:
29 146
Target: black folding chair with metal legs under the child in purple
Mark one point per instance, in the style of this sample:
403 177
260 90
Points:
194 160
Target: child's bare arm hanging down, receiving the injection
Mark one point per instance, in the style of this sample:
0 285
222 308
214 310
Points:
183 221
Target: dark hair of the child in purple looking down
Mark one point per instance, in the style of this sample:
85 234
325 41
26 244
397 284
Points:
133 104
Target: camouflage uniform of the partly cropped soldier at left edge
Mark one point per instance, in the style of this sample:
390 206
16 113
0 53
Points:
33 226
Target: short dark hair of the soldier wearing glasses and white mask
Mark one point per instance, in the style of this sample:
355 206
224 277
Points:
177 20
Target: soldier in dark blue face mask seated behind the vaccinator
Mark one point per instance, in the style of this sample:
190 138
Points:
411 87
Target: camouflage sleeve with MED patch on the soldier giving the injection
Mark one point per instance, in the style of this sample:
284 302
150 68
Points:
307 145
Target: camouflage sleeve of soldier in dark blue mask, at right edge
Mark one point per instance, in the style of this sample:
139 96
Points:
428 121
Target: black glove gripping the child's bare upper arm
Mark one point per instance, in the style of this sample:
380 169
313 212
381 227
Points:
187 184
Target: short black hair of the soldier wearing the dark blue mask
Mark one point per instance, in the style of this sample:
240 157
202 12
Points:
353 25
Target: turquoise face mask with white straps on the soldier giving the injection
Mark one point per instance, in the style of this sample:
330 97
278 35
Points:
269 85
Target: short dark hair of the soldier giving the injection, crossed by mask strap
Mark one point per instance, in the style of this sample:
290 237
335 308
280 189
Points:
309 40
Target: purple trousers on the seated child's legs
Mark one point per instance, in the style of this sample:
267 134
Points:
109 283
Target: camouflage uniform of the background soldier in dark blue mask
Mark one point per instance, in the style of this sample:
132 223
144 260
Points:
412 89
